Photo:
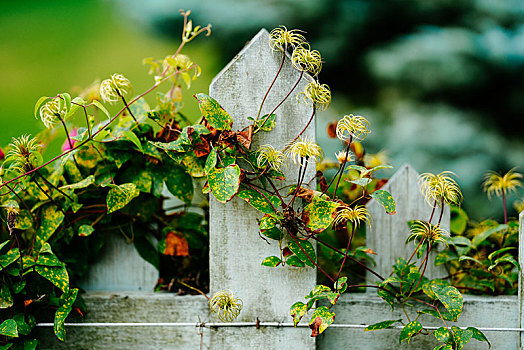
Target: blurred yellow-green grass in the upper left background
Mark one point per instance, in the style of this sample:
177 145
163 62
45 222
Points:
48 47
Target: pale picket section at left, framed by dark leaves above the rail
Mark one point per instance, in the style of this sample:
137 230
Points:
120 268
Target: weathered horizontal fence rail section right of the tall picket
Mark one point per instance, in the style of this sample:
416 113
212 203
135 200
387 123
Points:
363 309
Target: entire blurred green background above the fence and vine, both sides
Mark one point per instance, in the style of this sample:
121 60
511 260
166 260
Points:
440 81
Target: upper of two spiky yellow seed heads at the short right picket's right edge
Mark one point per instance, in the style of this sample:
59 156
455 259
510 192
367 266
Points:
440 188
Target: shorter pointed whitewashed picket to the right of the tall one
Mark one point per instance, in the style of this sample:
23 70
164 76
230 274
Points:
388 233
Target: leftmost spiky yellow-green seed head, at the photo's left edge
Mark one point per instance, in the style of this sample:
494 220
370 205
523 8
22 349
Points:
23 152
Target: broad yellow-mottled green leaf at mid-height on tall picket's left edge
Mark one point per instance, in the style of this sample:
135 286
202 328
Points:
224 182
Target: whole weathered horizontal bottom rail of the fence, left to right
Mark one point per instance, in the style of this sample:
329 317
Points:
351 309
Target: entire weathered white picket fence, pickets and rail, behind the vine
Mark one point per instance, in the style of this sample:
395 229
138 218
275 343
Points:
123 313
